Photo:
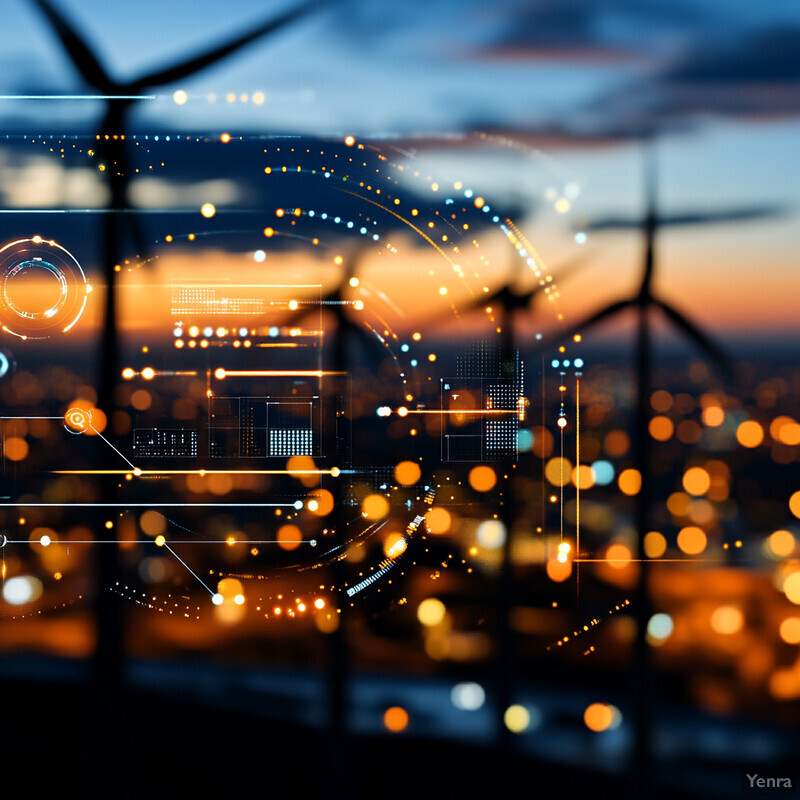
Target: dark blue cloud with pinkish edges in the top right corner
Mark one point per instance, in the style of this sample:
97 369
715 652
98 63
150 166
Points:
685 63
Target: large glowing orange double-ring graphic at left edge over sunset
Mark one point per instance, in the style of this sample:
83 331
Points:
43 288
